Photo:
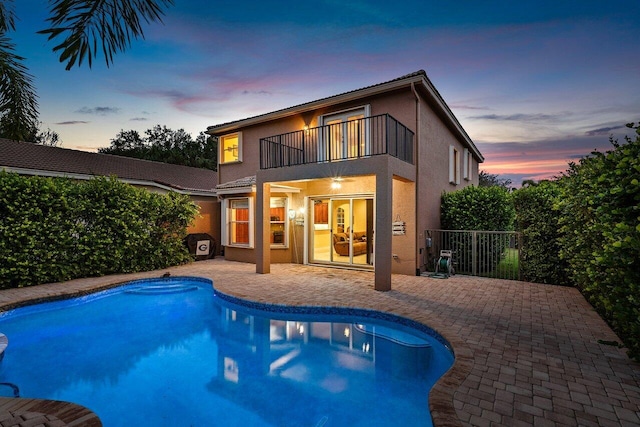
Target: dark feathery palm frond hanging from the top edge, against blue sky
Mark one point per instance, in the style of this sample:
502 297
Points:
89 26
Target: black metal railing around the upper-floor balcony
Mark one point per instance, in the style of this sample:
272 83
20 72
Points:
354 139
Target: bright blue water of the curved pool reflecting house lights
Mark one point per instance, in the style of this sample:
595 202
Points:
170 352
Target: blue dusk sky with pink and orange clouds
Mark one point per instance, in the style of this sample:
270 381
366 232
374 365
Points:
536 84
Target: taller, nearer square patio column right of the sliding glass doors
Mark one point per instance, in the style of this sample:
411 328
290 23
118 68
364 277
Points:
382 242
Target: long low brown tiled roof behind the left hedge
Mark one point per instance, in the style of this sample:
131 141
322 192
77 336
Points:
33 159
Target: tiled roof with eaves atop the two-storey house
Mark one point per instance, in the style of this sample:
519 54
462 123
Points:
416 79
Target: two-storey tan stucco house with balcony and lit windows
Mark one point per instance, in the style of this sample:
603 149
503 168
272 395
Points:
350 181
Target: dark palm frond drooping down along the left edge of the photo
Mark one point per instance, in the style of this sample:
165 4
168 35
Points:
18 99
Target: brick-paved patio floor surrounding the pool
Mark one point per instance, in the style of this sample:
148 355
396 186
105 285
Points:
526 354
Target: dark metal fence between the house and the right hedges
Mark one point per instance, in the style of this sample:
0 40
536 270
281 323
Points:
477 253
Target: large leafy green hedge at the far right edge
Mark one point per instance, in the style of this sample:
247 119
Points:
600 225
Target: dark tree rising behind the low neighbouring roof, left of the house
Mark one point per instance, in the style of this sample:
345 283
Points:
162 144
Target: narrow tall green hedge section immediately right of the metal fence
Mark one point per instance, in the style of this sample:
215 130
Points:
537 220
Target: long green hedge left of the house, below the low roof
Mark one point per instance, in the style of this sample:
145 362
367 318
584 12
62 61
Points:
56 229
